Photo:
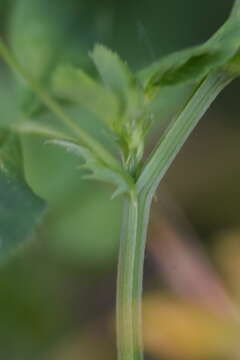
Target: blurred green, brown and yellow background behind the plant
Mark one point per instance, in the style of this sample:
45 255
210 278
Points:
57 294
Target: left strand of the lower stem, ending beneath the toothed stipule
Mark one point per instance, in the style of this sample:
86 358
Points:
126 326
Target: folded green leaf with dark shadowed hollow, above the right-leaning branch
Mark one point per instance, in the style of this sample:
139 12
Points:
193 64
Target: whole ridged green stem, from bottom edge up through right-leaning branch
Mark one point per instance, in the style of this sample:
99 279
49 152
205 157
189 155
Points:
133 241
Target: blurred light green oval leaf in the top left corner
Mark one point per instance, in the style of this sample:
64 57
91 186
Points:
35 42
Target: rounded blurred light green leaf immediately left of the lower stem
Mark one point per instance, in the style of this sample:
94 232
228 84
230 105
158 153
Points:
77 237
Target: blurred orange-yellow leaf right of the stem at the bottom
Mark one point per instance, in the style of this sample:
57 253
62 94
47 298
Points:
182 331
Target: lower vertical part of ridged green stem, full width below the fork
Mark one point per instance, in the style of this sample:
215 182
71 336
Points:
129 285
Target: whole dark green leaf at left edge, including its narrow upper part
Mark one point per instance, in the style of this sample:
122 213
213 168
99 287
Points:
20 208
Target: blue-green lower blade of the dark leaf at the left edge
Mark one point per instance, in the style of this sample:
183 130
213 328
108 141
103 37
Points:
20 211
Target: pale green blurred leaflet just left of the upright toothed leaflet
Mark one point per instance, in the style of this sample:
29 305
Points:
74 85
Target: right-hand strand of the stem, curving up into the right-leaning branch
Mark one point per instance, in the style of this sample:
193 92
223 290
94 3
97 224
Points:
156 167
